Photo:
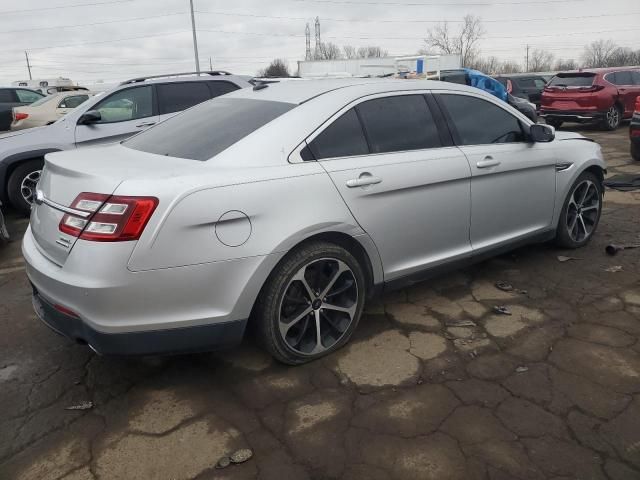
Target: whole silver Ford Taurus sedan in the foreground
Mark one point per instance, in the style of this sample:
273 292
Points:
291 204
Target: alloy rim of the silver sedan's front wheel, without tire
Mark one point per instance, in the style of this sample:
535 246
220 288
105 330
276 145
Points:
583 211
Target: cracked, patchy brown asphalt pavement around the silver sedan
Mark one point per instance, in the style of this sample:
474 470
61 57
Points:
434 385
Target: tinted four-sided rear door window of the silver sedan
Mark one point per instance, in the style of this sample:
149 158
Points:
398 123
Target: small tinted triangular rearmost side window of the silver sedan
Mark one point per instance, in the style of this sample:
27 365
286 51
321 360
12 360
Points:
343 138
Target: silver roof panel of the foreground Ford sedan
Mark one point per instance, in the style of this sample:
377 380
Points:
308 89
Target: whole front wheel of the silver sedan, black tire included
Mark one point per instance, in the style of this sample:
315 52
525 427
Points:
581 212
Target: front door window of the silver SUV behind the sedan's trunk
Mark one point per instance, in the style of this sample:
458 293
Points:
130 104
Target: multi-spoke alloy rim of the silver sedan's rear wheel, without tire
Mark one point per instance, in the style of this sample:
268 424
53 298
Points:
318 306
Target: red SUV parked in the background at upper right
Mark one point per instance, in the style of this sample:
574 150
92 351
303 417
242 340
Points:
603 95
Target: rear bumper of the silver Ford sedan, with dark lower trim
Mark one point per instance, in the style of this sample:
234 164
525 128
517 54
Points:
169 310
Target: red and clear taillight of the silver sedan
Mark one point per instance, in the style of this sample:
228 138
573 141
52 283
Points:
111 218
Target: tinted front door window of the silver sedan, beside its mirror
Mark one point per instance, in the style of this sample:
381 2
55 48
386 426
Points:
479 122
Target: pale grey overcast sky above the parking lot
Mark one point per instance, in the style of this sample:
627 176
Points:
112 40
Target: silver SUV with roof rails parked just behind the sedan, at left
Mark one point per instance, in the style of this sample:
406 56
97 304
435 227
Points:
129 108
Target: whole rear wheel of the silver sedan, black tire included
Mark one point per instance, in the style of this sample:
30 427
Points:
311 303
